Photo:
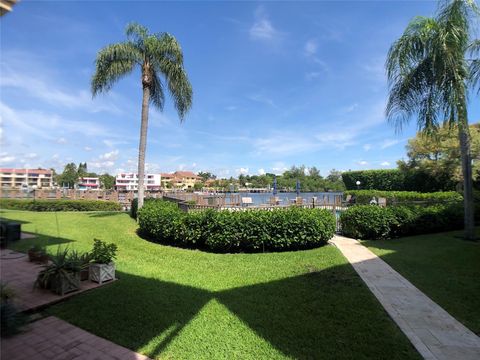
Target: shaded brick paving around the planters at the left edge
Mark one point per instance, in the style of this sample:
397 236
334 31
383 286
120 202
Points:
20 275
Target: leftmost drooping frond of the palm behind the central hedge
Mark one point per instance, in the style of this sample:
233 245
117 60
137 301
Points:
112 63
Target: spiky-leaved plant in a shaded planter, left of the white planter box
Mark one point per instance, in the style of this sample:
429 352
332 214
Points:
61 275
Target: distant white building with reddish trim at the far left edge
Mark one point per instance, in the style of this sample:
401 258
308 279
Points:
26 178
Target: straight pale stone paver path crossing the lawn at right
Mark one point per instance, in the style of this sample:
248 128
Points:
433 331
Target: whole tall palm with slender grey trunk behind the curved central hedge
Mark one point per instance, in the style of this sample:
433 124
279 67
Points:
157 56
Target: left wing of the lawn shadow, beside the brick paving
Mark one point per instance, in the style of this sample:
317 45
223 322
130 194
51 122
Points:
136 311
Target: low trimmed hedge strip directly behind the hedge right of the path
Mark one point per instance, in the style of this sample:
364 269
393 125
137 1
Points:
364 196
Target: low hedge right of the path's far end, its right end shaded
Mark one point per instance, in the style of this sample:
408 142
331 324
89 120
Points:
374 222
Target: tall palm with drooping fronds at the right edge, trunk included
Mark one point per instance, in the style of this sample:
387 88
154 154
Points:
429 76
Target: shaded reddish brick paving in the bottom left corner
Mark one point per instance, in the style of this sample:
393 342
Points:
55 339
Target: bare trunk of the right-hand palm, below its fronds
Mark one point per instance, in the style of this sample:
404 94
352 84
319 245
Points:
464 136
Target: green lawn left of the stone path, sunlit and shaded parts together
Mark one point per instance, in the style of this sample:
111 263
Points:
181 304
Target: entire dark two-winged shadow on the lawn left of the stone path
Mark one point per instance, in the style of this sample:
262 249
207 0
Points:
302 316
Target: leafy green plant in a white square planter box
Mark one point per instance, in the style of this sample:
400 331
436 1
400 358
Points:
102 267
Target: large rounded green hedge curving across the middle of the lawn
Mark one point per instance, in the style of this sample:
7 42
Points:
236 231
